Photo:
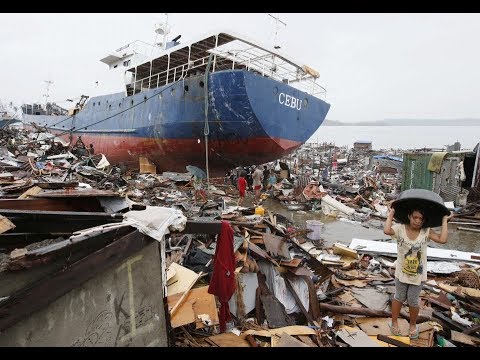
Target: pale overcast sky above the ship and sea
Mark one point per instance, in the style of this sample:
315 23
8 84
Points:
374 66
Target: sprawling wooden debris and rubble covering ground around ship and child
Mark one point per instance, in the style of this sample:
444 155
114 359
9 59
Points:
285 287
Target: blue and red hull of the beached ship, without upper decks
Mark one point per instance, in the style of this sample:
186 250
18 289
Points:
251 120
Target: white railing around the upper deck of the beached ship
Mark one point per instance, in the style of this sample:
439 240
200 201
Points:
265 64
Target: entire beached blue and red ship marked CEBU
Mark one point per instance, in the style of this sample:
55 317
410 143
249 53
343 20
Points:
223 95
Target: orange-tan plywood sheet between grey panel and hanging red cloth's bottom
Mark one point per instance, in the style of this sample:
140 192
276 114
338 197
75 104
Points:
198 301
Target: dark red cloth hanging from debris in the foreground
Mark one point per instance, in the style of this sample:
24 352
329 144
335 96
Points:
222 283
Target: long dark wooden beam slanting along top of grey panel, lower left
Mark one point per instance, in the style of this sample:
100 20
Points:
33 298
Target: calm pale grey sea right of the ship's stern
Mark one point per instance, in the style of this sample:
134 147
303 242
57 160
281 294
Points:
399 137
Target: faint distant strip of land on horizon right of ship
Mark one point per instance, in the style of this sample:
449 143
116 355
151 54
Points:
409 122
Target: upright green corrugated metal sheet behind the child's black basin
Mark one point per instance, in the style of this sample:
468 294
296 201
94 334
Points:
415 171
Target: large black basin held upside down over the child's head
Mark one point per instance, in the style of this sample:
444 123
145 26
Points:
420 199
